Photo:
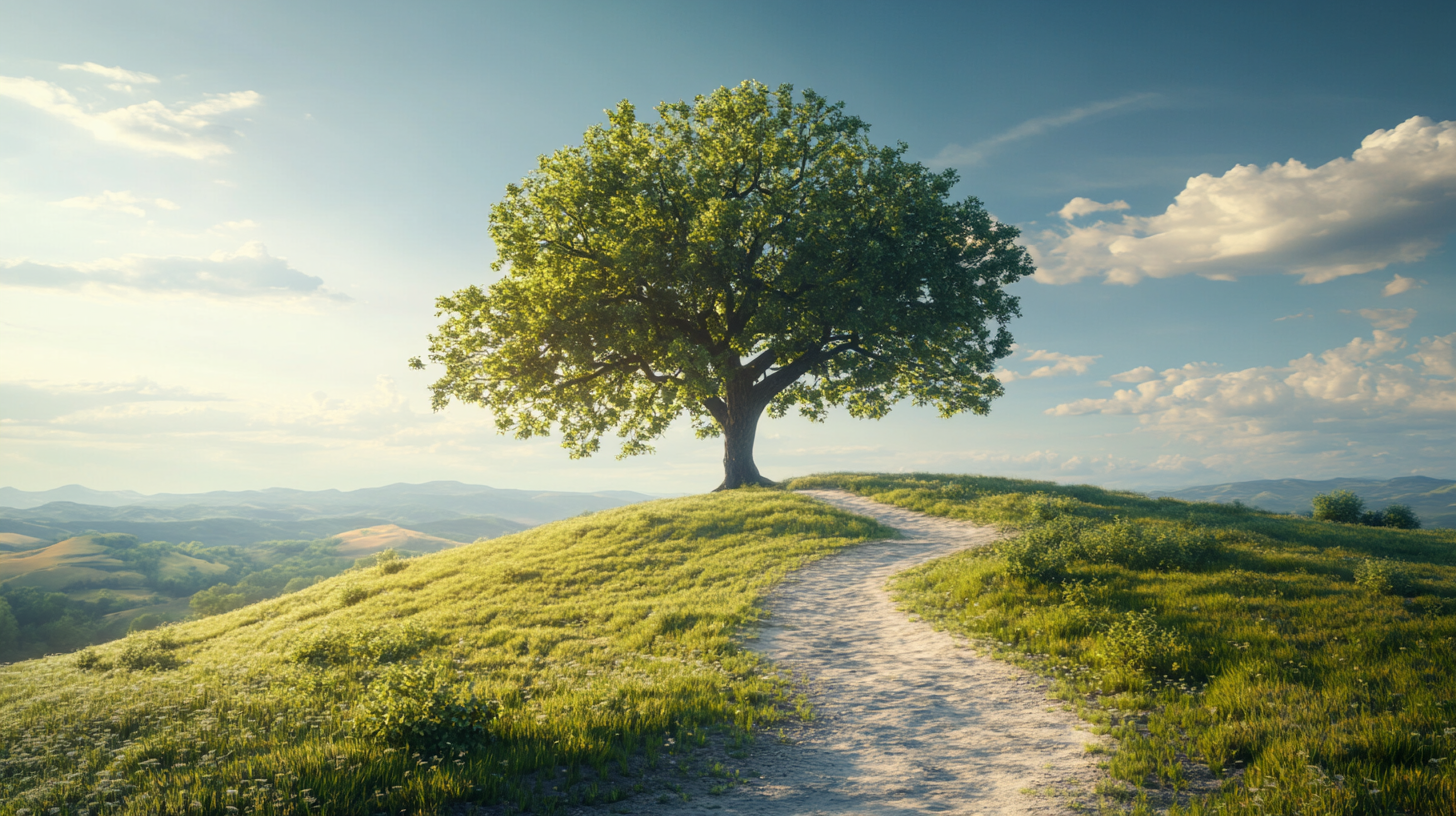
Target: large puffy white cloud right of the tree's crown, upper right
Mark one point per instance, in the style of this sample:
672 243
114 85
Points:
1393 202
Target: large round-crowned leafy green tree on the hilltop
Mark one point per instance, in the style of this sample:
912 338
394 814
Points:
745 253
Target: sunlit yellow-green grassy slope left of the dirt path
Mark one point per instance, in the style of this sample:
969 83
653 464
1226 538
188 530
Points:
604 639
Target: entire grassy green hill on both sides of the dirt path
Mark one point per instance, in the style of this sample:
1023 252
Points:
1307 665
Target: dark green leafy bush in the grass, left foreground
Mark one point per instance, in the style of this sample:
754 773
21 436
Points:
423 707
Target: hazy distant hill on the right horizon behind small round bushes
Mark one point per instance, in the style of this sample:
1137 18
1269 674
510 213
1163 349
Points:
1433 501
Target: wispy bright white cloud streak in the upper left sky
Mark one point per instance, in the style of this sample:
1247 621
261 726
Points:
152 127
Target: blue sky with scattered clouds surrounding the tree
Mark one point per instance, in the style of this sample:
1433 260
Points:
225 227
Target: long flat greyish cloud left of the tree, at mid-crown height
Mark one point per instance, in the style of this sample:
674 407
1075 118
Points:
250 273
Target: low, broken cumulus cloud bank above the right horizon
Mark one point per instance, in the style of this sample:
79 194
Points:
1355 397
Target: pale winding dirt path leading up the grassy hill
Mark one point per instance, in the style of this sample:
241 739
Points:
909 719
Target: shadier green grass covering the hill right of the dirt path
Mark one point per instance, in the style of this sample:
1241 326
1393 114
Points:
1260 656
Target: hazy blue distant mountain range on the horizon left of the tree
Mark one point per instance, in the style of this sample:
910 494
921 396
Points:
446 509
